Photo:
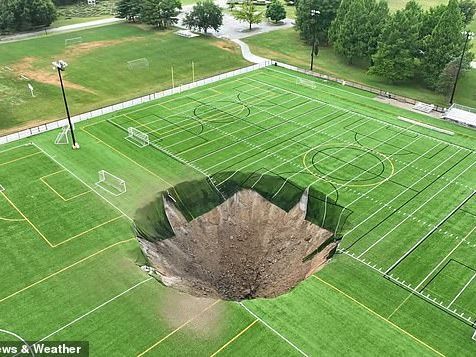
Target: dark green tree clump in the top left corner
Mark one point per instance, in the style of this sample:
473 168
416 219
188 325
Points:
23 15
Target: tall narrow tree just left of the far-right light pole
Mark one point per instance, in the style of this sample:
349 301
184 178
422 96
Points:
443 45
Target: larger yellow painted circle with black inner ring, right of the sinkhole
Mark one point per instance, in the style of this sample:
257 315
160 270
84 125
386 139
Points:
348 165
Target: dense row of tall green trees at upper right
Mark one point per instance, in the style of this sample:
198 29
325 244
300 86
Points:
411 43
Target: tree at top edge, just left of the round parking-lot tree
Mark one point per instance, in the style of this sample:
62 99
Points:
160 13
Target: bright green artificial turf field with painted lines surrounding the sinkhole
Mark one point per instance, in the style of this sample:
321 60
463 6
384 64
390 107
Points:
403 282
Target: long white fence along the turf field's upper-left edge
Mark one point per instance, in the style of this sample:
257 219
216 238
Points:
130 103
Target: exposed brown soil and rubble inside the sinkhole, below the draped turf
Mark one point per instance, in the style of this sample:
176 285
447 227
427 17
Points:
244 248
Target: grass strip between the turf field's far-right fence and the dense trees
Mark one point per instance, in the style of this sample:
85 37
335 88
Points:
285 46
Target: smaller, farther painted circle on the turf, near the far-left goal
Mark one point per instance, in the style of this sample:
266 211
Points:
222 112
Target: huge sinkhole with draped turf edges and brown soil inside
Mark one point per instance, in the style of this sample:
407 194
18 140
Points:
251 238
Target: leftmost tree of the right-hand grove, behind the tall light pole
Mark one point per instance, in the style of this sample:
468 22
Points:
328 10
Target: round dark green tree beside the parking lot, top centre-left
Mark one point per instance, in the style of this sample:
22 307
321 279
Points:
204 15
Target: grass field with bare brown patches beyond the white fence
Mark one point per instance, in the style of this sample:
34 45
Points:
98 74
